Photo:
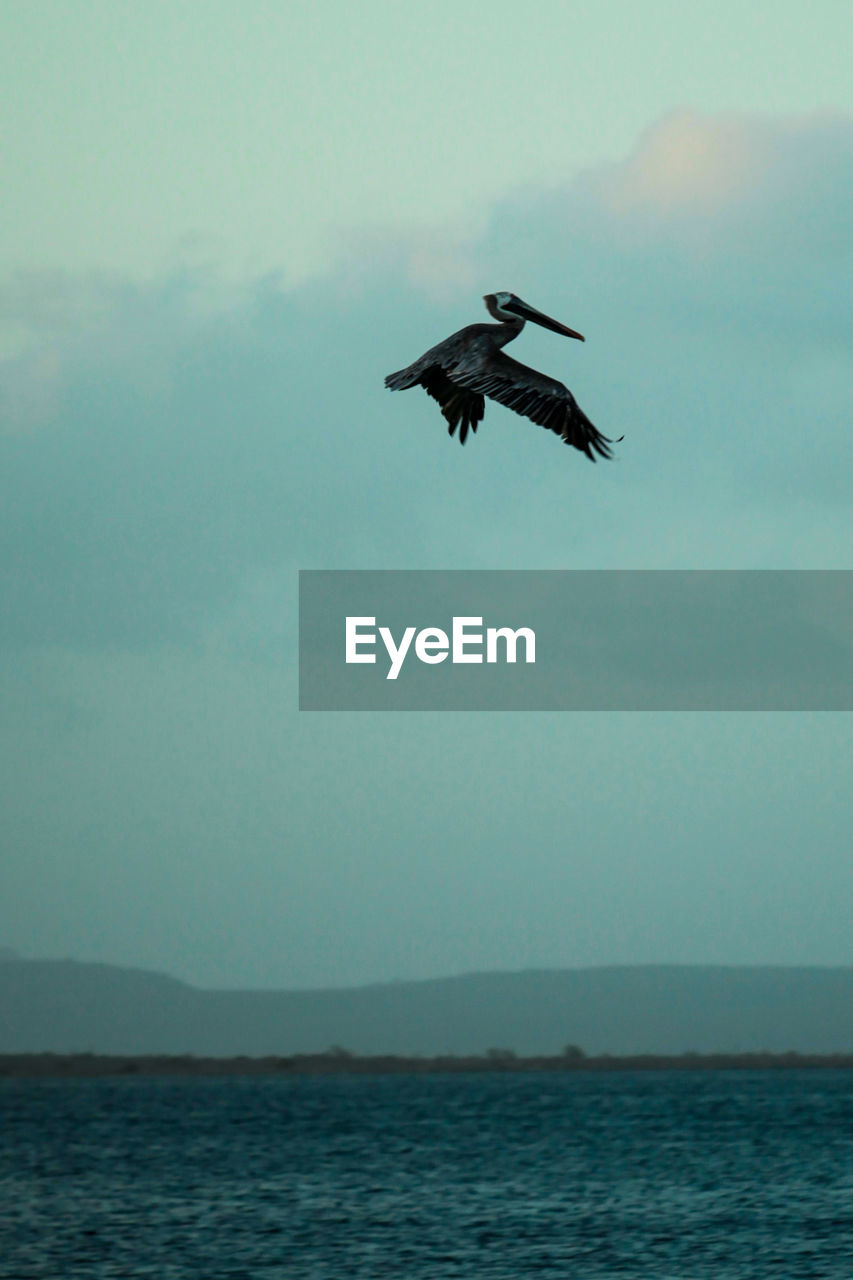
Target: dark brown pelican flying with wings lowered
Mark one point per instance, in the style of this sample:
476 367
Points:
469 365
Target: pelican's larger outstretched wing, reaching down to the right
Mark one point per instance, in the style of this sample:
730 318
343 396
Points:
533 395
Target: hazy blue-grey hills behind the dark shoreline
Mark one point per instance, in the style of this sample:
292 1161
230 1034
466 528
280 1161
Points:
65 1007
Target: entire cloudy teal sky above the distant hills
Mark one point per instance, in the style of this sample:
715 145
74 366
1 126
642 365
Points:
225 231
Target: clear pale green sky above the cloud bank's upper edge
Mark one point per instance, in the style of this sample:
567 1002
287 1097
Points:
268 135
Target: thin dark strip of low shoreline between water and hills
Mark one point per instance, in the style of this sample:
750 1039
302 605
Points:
340 1063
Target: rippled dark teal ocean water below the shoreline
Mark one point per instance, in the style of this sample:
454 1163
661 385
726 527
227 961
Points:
563 1176
